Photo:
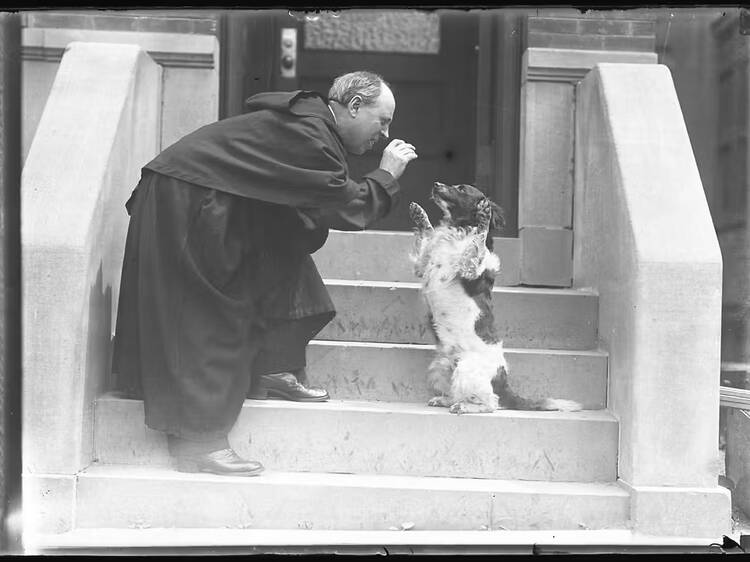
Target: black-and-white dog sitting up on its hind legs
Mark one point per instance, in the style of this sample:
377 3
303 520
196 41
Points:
457 266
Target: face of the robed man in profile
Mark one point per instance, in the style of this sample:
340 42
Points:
367 123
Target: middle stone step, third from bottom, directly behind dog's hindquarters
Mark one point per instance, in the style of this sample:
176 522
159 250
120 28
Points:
397 372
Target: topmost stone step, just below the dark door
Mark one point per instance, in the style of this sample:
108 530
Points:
384 256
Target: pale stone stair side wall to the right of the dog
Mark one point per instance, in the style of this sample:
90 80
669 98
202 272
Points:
645 241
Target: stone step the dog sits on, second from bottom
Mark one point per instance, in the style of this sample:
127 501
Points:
388 438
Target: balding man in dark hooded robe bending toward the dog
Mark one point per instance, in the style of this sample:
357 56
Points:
218 286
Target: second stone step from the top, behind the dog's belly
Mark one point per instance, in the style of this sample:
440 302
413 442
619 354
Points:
377 311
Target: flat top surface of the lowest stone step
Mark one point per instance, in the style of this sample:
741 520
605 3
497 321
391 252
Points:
379 481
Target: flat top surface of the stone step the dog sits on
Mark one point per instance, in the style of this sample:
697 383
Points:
417 408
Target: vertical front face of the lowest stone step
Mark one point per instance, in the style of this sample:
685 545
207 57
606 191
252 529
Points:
249 503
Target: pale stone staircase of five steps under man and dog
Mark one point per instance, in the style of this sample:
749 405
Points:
376 457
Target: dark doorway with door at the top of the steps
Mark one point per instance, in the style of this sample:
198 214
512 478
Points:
431 61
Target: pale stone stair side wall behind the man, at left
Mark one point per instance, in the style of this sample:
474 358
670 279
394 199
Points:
99 127
